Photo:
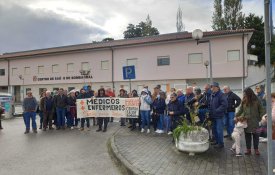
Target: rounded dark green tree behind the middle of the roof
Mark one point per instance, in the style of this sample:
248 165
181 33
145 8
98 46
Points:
142 29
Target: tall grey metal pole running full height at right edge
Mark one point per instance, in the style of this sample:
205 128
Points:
268 85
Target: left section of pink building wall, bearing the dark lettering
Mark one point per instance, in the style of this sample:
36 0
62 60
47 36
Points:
94 58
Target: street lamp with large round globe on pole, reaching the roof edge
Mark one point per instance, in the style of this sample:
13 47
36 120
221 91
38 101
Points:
197 35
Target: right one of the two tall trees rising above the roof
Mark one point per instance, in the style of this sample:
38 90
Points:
233 16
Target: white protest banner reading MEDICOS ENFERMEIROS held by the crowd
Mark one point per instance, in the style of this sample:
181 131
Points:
108 107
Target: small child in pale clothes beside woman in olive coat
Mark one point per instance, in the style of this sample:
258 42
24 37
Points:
236 135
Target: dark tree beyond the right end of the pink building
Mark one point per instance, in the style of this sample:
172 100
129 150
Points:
256 22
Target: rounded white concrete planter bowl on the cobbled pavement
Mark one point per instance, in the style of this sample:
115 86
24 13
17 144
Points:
193 142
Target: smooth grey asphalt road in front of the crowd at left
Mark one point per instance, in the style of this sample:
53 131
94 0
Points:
54 152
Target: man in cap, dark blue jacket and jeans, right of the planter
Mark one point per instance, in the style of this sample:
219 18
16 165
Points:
217 110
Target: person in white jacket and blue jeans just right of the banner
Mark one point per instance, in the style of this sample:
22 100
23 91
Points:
145 108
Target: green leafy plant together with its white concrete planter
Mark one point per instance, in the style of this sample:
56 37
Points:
192 138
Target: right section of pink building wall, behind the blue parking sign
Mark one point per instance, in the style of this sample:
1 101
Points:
147 69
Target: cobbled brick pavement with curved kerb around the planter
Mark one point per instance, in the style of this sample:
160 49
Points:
156 154
